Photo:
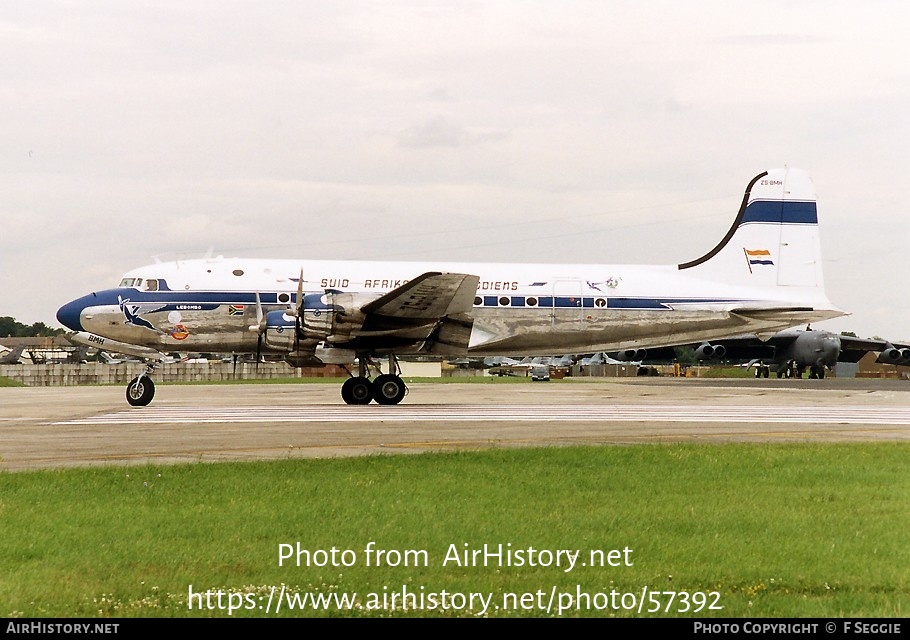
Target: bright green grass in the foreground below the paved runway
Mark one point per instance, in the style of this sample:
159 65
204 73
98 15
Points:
775 530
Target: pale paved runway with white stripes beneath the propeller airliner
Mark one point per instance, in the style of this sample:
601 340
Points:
84 426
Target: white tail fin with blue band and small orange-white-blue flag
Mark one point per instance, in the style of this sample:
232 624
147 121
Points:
774 240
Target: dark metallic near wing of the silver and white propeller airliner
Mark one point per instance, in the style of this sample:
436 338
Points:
433 308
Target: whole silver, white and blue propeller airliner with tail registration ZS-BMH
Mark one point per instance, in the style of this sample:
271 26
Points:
763 276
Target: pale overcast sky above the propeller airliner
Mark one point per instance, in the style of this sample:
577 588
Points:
514 131
